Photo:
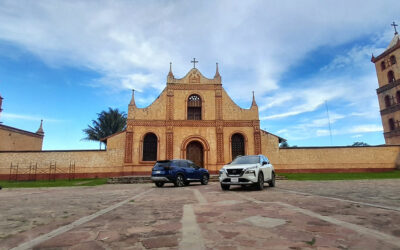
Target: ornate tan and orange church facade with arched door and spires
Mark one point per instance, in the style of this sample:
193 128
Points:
193 118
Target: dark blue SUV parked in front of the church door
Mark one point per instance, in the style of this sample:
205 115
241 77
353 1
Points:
179 172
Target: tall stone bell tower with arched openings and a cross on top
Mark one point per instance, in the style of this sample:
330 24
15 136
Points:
388 73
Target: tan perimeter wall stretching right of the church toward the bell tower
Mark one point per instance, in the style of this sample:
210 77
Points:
336 159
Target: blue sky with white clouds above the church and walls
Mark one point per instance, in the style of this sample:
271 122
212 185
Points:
66 61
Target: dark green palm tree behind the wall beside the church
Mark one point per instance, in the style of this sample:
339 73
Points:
107 123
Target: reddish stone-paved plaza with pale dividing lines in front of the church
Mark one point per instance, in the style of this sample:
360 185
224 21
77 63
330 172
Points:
294 215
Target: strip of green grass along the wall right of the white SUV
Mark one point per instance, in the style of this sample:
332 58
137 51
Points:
340 176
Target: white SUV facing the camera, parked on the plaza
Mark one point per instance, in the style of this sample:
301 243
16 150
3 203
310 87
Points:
247 170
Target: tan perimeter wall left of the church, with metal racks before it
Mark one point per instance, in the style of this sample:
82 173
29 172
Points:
45 165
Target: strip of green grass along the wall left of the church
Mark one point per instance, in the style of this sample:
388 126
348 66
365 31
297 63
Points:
56 183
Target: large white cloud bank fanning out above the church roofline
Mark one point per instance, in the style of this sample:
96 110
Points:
123 38
